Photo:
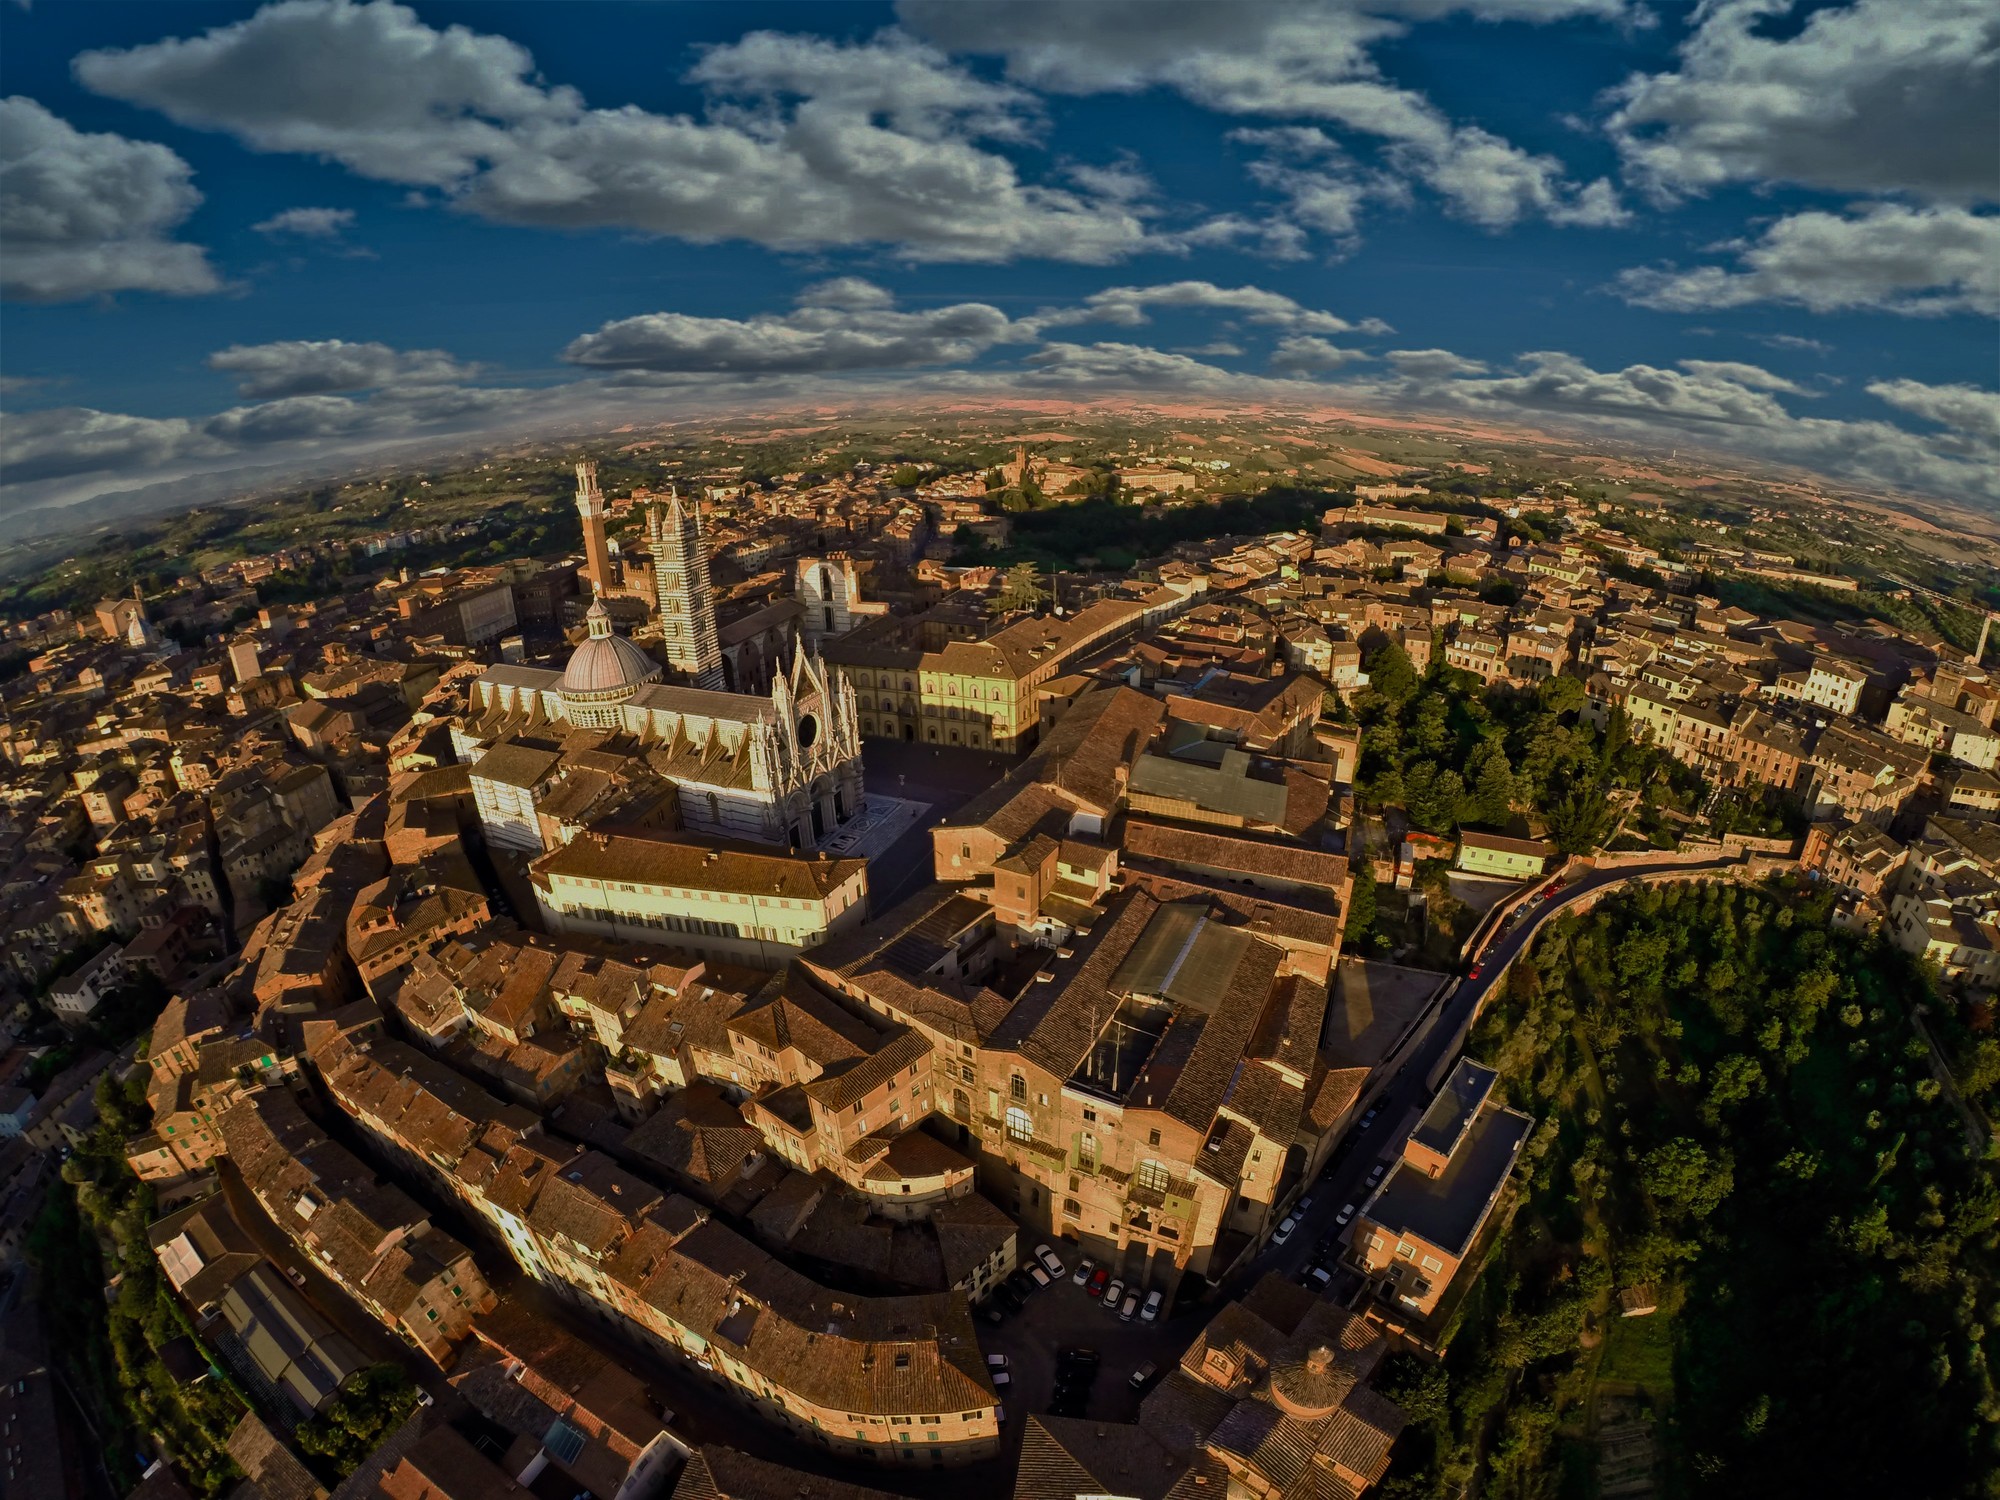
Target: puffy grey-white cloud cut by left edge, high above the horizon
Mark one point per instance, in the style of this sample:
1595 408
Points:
85 215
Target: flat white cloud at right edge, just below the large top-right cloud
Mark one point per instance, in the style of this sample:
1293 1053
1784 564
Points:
1889 257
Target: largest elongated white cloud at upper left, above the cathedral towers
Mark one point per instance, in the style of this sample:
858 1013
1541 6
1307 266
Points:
805 143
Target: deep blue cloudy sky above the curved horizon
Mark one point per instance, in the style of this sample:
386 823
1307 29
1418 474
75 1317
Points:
235 235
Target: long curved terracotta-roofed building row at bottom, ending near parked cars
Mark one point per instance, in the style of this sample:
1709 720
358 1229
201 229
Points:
895 1379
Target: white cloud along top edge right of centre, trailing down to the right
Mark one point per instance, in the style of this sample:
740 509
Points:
1303 59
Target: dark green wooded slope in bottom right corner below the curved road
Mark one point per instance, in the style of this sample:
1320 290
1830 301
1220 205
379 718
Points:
1741 1117
